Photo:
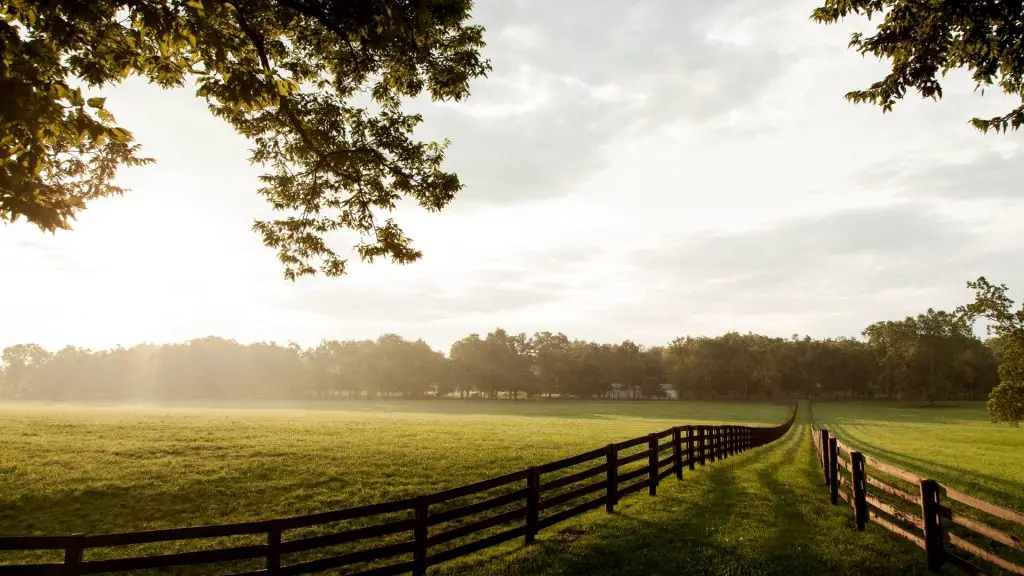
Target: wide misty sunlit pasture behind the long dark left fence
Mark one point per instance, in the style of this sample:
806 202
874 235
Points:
97 470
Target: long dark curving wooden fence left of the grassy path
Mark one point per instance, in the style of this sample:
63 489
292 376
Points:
414 534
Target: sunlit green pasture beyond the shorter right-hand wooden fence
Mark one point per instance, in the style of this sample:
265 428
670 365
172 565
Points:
954 443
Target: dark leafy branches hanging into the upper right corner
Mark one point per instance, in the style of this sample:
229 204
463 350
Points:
925 40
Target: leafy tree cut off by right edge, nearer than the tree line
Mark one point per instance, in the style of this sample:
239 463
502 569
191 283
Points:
1006 404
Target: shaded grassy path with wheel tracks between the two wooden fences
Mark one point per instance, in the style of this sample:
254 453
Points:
765 512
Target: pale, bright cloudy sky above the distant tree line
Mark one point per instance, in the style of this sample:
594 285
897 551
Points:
638 171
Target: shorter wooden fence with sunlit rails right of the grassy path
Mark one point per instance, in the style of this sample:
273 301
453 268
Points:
954 528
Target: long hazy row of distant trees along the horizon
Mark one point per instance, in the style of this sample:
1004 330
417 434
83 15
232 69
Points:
933 356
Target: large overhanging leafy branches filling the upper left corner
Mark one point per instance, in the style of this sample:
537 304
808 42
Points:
284 73
